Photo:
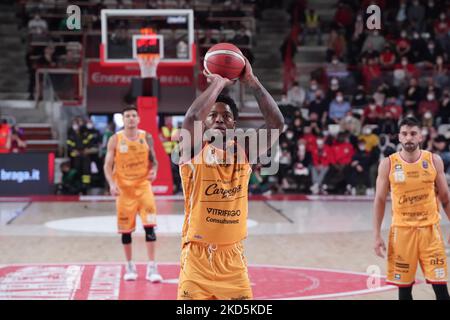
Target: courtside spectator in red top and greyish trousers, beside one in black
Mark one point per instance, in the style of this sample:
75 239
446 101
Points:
322 158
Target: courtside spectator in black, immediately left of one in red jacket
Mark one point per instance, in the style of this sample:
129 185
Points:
301 167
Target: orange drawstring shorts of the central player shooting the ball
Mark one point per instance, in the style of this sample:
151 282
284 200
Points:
213 272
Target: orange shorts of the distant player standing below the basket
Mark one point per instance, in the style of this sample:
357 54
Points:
131 202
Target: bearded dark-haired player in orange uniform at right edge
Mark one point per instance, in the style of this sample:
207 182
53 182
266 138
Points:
416 180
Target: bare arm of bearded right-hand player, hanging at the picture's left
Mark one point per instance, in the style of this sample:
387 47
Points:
382 190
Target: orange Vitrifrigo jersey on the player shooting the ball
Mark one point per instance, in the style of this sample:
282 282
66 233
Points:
216 197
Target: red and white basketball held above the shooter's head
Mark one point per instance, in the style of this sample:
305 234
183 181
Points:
224 59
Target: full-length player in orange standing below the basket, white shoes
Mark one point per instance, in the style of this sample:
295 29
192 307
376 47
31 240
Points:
130 166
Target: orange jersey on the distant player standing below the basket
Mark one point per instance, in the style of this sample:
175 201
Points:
131 163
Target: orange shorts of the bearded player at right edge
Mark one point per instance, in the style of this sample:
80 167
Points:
409 246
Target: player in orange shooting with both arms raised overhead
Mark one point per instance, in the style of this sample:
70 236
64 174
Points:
213 265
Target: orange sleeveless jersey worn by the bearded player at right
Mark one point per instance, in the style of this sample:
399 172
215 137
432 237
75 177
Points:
414 200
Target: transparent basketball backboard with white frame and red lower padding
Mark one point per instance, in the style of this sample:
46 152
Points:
122 36
